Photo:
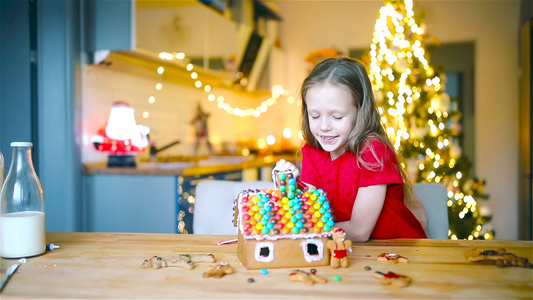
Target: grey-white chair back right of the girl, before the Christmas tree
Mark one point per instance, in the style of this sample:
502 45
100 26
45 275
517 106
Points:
434 197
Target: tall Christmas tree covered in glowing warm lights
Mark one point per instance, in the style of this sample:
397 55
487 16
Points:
421 120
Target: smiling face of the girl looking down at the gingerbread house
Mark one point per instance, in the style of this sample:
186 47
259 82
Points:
331 115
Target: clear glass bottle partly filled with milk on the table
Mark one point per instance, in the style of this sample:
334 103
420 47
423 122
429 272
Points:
22 225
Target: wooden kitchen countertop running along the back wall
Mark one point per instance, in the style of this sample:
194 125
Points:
203 167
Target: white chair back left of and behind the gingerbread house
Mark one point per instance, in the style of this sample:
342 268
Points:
213 208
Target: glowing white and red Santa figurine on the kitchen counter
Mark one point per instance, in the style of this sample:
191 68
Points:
121 137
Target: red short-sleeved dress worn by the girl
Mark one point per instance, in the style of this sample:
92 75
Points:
342 177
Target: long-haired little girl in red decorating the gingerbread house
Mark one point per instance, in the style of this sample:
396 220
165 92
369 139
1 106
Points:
348 155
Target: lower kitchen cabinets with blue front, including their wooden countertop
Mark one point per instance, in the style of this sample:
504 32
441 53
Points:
151 199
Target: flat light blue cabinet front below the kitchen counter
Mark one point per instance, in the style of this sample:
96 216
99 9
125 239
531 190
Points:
129 203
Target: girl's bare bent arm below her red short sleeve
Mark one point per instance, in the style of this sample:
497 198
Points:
365 213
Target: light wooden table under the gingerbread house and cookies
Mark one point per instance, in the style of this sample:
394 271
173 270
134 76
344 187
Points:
108 265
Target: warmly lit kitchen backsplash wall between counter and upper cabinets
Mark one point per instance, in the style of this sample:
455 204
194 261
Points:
170 114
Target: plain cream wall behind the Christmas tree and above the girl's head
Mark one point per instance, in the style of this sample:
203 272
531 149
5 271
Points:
492 25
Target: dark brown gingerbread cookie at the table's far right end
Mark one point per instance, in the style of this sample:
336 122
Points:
501 257
